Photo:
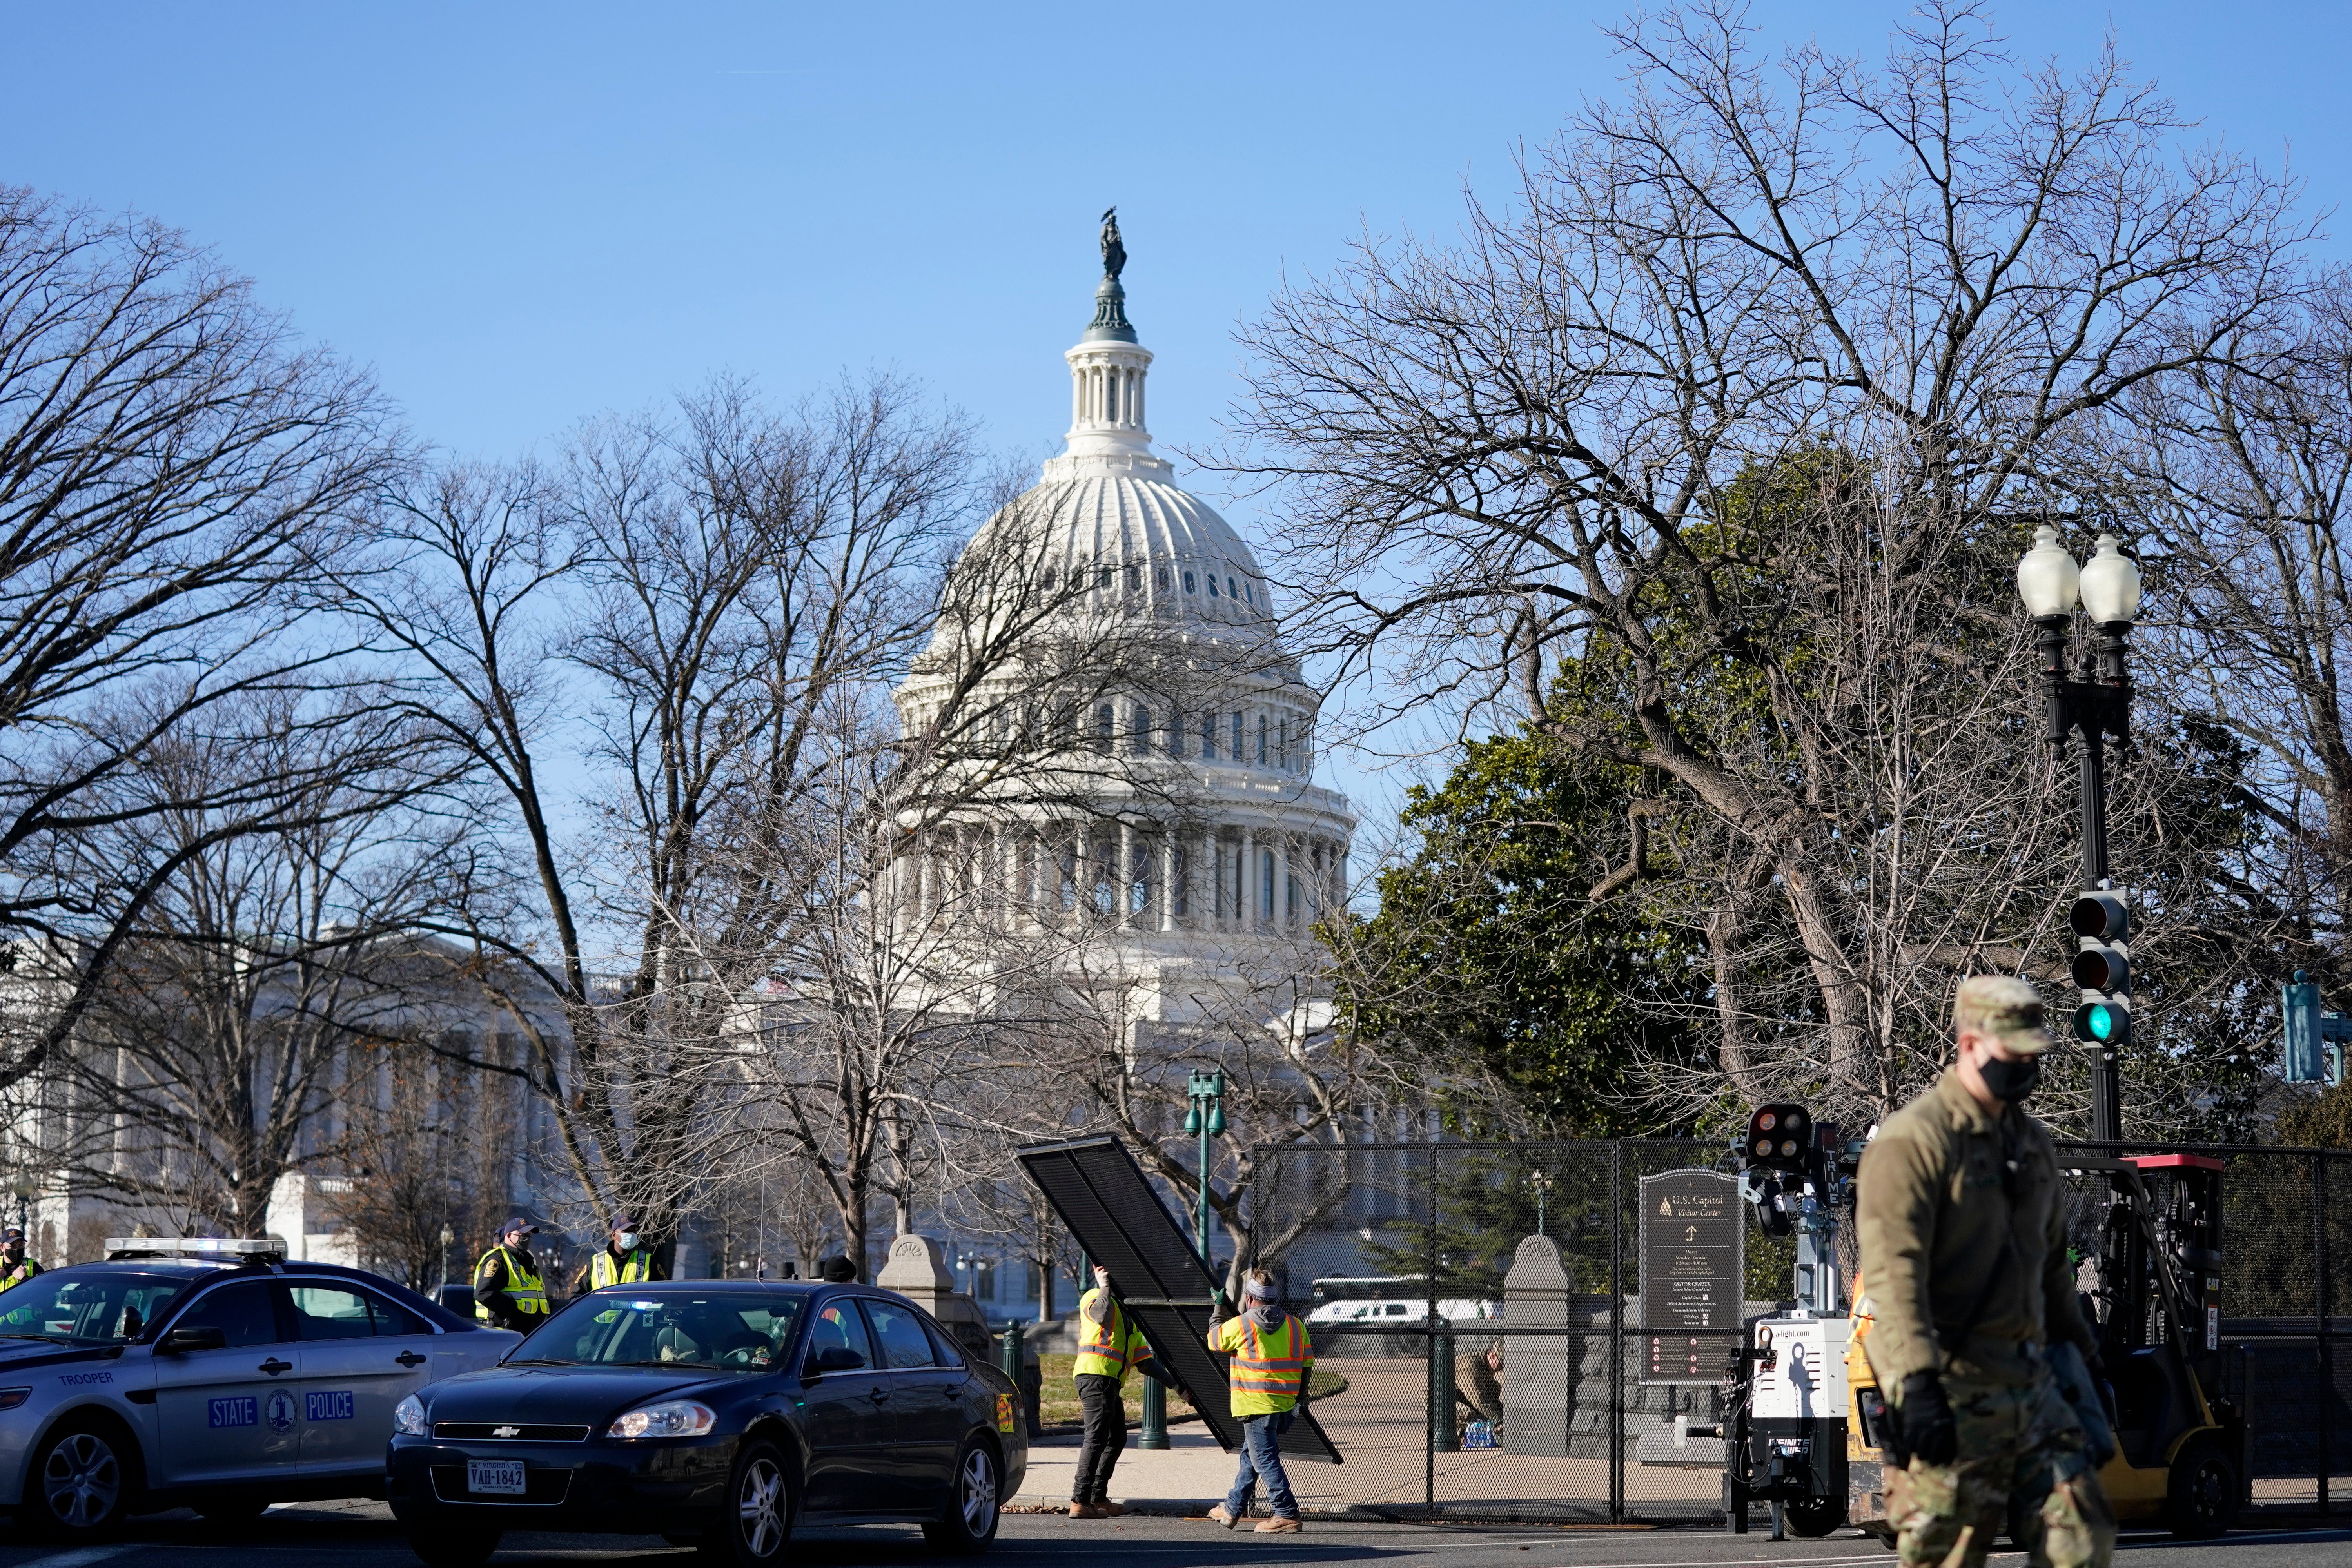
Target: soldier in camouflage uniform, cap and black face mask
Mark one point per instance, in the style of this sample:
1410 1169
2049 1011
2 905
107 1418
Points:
1963 1235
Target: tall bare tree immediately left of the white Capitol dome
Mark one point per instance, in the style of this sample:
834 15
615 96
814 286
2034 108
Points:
700 591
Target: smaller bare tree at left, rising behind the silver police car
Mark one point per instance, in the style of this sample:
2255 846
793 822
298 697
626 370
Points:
232 1028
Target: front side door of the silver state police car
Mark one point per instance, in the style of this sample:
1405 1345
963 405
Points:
229 1414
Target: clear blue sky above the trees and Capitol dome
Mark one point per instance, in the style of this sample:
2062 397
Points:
526 215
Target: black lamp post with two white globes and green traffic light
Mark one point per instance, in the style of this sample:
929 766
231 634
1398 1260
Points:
2094 702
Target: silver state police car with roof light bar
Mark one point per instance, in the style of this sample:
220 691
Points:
211 1374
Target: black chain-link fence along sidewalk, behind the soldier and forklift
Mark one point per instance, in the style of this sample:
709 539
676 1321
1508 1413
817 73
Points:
1452 1407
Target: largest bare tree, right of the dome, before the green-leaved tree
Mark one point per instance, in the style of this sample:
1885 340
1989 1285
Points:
1746 410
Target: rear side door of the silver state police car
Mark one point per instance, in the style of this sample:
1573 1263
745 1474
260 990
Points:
361 1355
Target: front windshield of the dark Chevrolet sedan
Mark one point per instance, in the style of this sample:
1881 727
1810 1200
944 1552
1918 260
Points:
740 1332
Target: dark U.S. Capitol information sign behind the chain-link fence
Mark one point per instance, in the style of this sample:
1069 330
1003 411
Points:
1695 1254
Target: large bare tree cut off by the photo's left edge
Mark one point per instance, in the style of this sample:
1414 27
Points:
173 471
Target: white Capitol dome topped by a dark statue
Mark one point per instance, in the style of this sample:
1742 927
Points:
1187 829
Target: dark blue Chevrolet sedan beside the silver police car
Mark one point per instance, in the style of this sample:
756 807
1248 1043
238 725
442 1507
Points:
716 1414
